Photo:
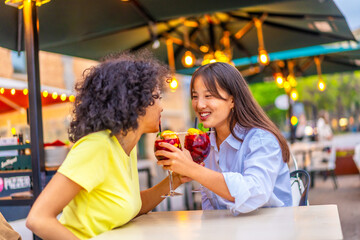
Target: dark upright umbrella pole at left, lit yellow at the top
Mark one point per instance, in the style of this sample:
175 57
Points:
35 112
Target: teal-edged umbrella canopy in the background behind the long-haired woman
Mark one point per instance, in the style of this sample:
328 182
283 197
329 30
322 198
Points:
334 58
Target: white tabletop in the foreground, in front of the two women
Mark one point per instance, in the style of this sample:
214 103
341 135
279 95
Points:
310 222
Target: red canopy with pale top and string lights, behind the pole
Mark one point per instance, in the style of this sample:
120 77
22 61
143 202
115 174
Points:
14 96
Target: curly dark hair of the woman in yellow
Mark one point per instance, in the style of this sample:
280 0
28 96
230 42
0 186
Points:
115 93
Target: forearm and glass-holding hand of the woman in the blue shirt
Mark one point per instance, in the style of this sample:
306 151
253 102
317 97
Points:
182 163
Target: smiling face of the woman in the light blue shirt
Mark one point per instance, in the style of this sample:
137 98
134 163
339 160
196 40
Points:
212 111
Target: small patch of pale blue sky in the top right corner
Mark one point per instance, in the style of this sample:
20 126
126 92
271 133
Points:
351 10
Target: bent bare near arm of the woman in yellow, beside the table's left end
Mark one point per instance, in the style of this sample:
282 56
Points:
42 217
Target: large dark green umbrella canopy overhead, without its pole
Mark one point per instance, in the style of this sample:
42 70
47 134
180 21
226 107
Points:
92 29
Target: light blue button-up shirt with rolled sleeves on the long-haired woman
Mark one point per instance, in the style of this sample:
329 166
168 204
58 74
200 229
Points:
254 172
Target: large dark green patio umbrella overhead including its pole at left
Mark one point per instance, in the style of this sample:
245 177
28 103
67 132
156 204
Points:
91 29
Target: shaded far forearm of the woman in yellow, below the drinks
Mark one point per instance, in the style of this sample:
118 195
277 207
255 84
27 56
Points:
152 197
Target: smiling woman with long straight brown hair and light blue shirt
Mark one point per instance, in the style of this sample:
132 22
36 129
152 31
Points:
246 168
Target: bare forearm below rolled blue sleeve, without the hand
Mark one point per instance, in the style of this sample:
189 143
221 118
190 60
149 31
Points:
212 180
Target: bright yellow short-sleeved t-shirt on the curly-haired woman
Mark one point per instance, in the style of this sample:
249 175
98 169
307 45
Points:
110 196
